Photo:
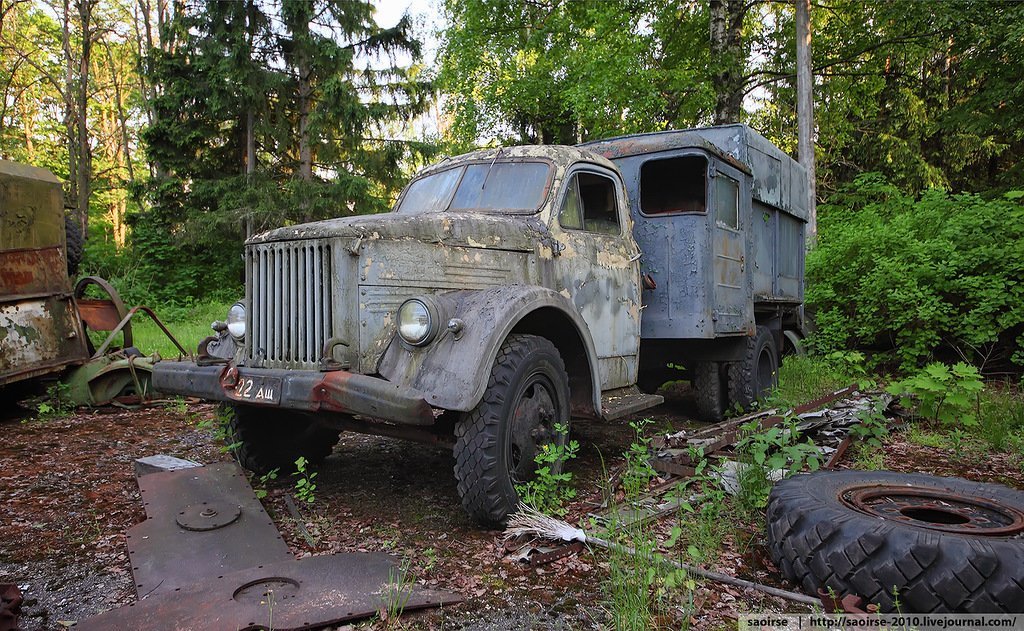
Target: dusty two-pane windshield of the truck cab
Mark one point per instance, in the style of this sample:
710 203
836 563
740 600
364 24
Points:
499 187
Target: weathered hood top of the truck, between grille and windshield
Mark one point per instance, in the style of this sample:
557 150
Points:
516 233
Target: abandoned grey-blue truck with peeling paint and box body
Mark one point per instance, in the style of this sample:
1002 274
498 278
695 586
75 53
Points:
509 291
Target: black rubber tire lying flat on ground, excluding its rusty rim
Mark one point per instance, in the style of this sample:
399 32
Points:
824 544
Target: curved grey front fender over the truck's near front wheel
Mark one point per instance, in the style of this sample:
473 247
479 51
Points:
453 371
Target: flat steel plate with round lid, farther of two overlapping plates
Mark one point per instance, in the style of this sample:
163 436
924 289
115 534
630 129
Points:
201 523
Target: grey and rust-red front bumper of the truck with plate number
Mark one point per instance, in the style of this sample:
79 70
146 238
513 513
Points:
338 392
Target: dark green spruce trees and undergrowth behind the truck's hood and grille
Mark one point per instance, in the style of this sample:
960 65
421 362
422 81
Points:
288 76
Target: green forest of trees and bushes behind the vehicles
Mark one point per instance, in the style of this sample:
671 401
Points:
182 127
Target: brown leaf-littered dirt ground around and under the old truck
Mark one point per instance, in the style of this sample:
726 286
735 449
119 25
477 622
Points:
69 494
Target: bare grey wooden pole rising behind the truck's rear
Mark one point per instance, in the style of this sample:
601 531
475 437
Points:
805 113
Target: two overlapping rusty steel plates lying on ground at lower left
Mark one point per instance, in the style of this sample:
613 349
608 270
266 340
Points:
208 557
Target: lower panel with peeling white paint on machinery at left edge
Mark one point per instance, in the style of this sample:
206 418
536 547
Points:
39 336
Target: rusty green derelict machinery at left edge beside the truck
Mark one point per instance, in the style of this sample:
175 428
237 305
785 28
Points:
45 319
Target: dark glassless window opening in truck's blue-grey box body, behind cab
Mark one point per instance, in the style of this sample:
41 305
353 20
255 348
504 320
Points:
673 185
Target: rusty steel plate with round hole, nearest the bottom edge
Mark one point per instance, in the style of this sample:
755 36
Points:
296 595
